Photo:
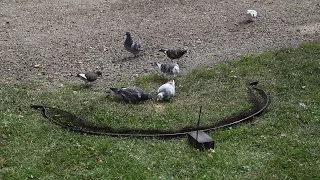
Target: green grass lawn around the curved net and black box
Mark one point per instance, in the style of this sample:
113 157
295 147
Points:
281 144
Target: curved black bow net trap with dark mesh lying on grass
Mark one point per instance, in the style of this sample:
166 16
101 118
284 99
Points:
257 98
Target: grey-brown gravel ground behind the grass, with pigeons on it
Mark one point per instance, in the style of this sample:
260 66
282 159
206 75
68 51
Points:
52 40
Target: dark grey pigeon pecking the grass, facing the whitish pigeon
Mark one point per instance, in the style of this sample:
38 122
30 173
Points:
134 94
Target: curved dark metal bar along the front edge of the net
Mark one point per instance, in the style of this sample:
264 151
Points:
176 133
